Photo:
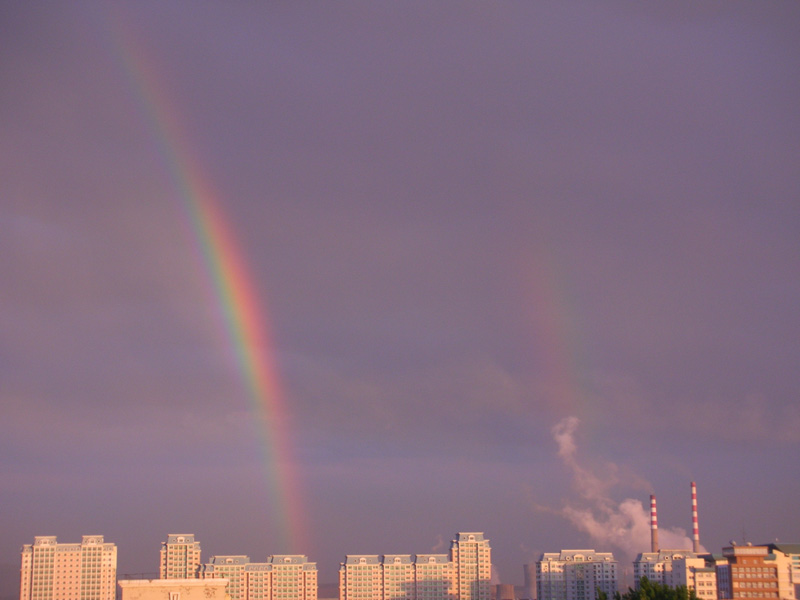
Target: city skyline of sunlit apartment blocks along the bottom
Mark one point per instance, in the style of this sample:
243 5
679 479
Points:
65 571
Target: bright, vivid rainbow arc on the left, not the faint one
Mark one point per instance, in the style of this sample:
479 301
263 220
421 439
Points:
244 320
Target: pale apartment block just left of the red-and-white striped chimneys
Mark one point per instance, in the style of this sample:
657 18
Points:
576 575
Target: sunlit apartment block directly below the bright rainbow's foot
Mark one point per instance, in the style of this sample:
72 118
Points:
282 577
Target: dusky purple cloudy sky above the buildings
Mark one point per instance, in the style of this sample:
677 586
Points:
521 262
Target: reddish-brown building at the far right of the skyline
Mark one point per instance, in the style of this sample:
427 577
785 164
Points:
755 572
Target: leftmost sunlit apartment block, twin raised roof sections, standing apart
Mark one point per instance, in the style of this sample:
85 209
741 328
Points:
53 571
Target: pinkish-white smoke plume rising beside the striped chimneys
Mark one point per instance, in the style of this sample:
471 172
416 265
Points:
623 526
